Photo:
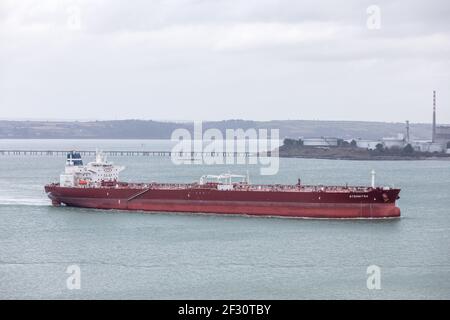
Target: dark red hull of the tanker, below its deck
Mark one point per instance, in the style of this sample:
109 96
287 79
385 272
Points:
299 205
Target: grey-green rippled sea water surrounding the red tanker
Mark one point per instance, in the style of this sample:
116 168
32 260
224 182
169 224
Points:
134 255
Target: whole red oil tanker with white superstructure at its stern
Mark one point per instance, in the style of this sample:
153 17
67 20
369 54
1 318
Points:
97 185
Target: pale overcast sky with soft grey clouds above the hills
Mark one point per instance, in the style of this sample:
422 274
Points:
224 59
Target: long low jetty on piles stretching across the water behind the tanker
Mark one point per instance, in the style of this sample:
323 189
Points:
131 153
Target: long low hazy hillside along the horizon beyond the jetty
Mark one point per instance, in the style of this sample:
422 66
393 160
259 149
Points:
148 129
